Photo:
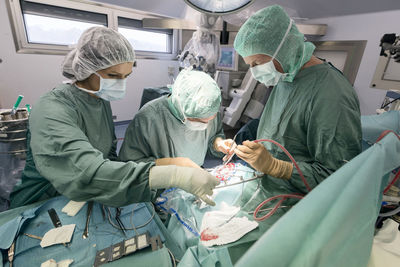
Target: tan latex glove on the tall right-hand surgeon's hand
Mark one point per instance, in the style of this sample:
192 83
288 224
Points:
260 159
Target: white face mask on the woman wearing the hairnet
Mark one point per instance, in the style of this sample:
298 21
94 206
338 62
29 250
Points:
110 89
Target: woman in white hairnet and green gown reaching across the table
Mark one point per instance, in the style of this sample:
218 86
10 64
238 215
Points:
71 140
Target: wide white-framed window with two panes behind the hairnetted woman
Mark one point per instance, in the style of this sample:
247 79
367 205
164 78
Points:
51 27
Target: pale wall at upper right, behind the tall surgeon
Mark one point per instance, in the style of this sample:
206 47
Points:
370 27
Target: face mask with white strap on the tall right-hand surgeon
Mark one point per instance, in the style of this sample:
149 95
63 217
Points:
267 73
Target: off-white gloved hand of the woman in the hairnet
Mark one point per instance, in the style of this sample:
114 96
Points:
193 180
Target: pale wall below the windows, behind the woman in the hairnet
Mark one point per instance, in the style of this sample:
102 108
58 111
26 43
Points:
33 75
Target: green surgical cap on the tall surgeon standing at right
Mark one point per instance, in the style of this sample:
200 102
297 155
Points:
263 32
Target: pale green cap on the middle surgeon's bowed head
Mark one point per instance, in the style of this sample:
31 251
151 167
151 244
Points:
195 94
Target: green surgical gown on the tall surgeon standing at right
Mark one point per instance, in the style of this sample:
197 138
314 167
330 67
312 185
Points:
317 119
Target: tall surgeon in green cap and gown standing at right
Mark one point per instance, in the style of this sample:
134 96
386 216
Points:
313 111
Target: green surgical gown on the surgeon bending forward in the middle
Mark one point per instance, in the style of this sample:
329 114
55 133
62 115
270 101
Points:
156 133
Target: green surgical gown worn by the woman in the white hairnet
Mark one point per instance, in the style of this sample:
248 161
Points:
71 148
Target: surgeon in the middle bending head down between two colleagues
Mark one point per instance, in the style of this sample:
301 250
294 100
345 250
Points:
180 128
